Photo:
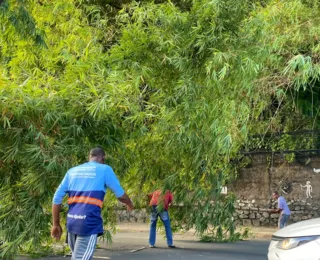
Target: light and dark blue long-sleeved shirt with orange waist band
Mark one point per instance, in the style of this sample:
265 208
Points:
86 186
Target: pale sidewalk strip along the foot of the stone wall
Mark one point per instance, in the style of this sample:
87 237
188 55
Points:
256 233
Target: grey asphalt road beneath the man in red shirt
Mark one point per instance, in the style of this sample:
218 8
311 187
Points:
134 246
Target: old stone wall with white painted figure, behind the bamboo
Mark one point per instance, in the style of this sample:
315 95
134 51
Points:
255 185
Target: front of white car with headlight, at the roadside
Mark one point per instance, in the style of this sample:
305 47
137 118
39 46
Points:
299 241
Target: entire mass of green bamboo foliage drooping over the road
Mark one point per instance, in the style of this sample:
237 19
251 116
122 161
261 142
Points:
171 90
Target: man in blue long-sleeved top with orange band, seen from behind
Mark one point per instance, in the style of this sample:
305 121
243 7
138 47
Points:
86 186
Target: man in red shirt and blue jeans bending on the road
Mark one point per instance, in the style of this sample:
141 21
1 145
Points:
155 198
